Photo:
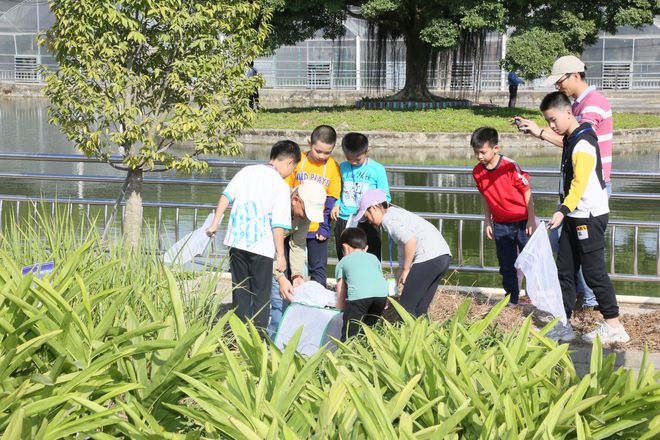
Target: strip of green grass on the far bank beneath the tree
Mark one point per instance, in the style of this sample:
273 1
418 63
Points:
447 120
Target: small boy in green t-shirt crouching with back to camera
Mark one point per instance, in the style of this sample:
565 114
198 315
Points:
361 286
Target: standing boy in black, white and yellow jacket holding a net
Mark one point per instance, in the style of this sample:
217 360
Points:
583 215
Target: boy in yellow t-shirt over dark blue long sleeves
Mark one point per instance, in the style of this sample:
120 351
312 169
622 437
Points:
316 164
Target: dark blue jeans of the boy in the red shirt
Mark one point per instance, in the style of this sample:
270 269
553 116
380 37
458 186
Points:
510 239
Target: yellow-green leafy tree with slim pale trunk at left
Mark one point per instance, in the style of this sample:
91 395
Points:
137 77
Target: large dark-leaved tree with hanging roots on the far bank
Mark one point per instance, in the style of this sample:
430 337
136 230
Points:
545 28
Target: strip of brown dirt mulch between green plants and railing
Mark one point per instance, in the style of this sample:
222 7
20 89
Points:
643 328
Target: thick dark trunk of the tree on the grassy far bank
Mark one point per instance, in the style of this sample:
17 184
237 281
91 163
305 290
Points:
418 55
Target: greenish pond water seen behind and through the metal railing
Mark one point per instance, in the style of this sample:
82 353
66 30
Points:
24 128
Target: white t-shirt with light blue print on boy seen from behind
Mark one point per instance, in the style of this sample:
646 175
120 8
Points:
260 202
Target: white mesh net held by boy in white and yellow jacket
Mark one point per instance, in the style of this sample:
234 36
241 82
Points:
538 264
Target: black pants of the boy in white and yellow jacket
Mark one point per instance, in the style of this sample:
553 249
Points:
582 242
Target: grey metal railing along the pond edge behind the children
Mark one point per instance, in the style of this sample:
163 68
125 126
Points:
21 203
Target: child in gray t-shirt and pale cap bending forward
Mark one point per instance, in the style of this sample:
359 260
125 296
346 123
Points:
424 255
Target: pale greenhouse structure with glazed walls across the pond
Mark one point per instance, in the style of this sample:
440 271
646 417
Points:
629 60
